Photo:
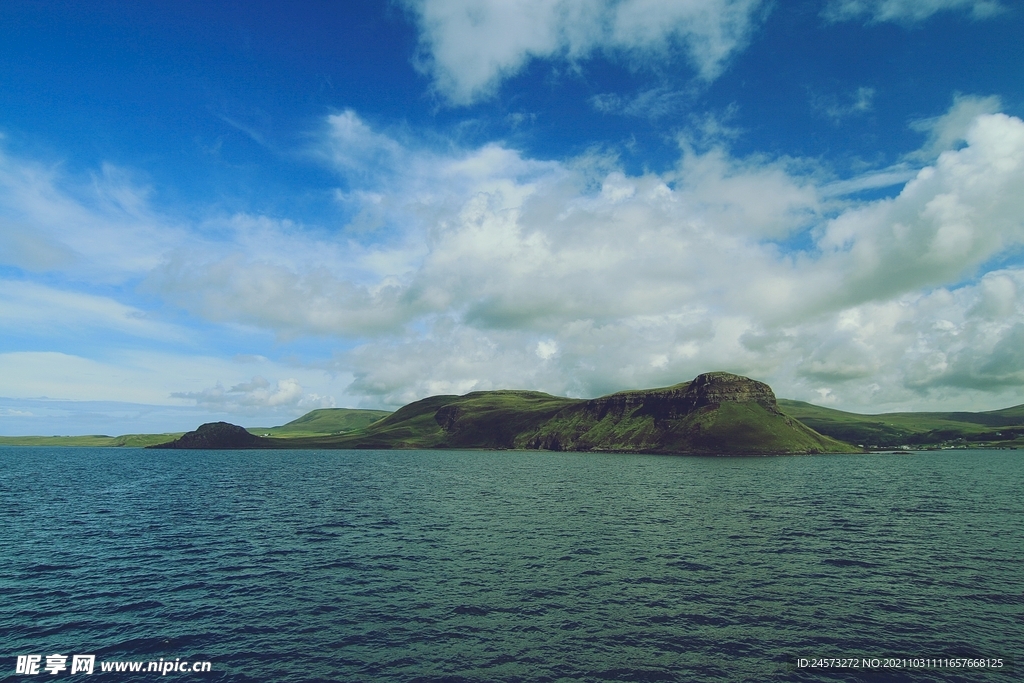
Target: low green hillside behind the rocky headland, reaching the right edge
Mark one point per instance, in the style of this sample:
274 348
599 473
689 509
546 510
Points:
1004 428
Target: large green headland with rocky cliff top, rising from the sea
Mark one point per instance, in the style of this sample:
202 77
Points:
717 413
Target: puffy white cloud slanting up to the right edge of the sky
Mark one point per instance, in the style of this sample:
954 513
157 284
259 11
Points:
947 223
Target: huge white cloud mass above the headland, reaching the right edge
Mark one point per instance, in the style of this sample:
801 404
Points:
649 281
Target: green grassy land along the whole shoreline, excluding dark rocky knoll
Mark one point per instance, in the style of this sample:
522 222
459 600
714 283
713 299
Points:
669 420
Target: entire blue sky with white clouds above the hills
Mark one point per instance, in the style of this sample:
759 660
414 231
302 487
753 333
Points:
245 211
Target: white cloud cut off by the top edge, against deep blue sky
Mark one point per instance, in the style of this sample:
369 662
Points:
470 47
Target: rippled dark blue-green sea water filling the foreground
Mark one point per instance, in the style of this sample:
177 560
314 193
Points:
340 566
